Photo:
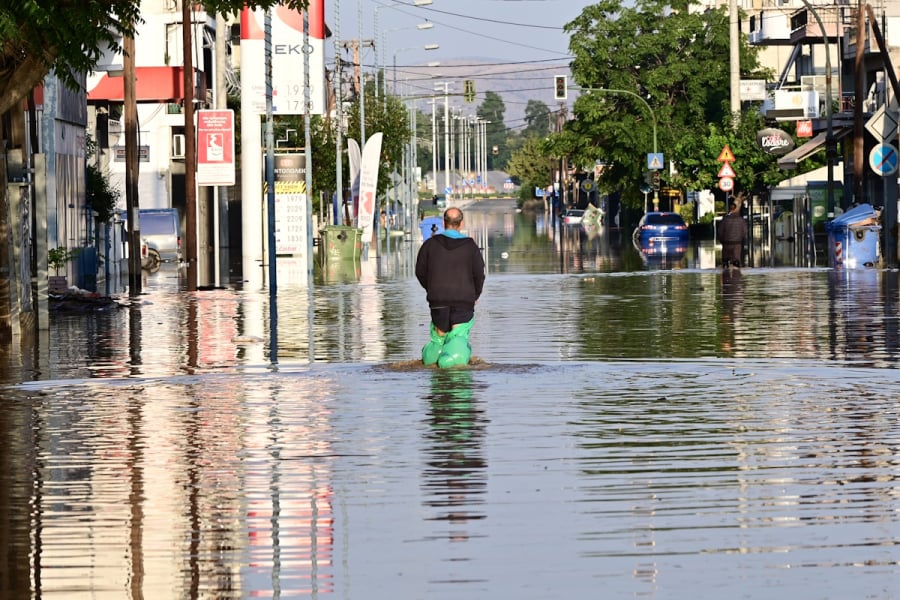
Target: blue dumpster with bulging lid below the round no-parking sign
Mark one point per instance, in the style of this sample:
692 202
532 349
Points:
853 238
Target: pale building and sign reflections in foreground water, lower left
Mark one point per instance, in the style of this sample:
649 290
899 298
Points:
192 490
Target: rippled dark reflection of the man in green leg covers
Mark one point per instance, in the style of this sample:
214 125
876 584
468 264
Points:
456 474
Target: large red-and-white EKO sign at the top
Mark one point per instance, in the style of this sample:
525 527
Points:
288 77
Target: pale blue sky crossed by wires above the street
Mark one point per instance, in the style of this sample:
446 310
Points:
512 47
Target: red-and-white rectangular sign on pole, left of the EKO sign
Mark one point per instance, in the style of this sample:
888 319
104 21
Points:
215 147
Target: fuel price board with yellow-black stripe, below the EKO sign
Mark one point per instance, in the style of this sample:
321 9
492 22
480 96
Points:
290 204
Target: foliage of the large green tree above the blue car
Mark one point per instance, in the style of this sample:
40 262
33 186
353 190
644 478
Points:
669 57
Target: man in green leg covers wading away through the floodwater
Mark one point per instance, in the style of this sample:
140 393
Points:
450 268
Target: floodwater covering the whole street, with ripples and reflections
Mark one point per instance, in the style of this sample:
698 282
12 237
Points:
630 427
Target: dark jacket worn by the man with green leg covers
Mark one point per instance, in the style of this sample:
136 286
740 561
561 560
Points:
451 270
